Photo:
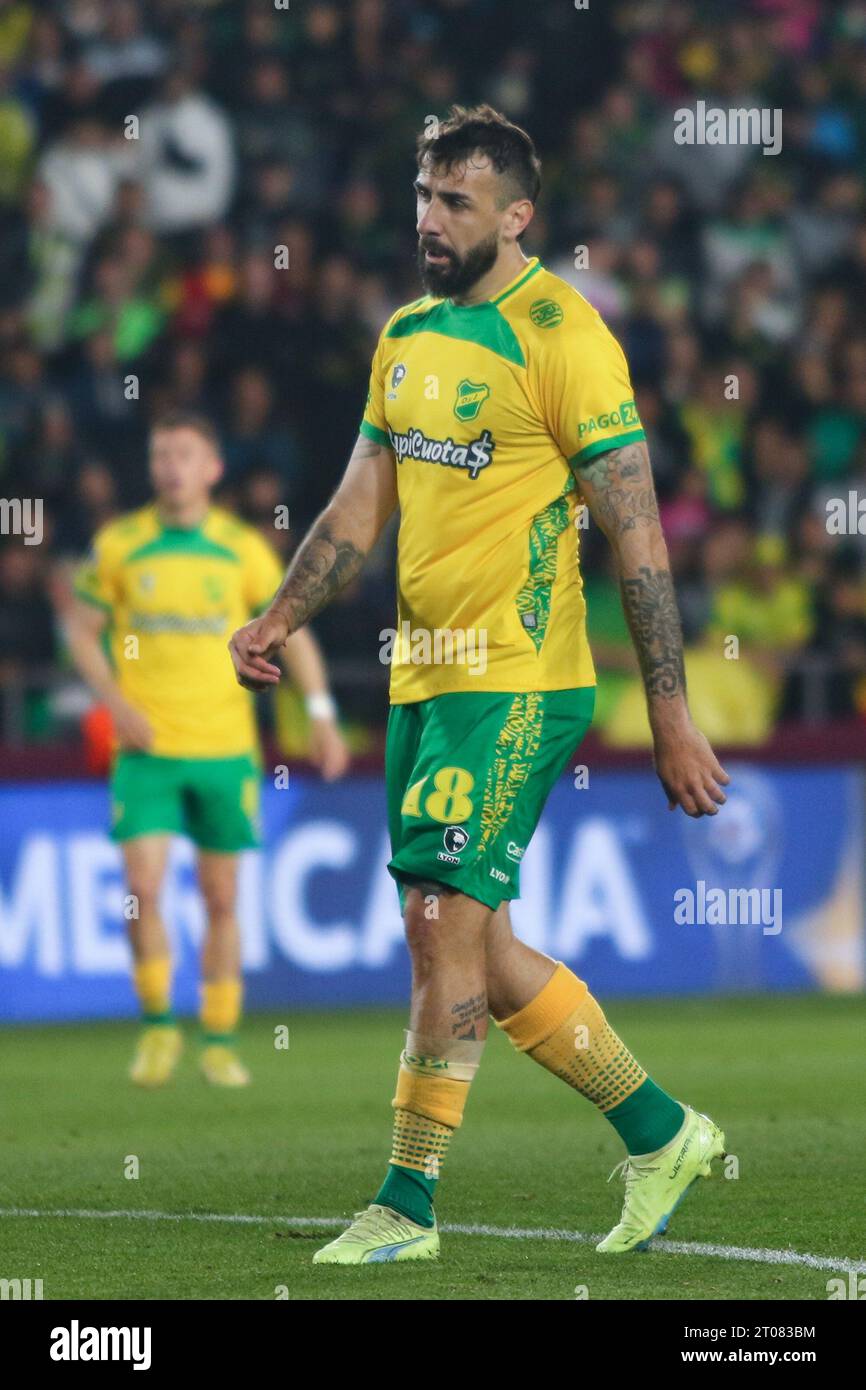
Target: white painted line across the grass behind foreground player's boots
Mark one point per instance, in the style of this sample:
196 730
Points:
668 1248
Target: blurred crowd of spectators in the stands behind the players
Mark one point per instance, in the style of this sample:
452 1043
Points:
156 158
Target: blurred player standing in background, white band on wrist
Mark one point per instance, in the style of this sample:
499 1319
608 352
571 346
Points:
166 586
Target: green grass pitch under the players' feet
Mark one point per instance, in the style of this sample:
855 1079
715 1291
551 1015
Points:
311 1139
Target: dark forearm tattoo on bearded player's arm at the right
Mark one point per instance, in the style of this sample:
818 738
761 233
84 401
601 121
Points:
651 608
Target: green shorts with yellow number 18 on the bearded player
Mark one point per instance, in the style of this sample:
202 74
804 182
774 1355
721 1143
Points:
468 776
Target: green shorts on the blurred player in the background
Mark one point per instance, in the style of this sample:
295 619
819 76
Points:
212 800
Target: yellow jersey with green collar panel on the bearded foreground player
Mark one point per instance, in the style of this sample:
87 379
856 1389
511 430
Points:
484 408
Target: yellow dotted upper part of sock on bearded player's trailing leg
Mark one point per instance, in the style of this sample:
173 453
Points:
565 1031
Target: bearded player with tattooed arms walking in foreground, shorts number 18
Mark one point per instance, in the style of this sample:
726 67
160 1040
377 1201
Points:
498 404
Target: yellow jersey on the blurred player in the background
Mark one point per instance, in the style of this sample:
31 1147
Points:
174 598
